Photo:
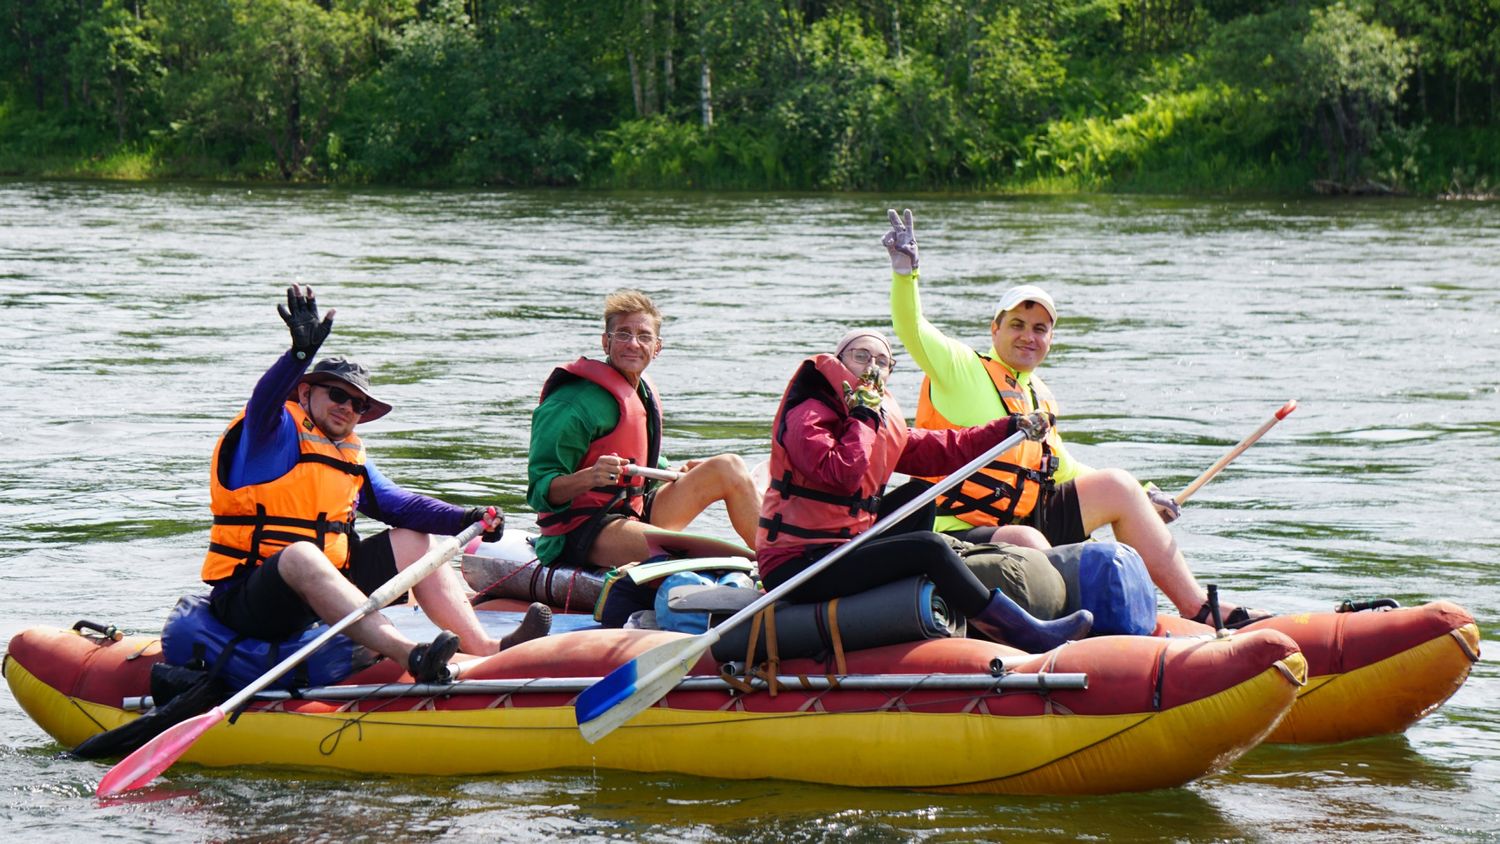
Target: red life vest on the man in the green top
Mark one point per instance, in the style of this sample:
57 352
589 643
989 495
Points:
637 438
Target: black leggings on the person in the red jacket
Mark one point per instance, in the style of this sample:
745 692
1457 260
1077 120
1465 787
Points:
886 560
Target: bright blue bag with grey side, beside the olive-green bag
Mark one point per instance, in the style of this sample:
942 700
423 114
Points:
1111 581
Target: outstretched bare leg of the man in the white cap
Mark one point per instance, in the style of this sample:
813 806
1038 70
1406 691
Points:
1112 497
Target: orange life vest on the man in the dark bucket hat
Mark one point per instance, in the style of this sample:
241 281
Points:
313 503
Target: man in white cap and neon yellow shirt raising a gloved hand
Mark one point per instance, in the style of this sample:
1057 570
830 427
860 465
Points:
1037 494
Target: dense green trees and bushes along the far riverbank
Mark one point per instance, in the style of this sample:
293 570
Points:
824 95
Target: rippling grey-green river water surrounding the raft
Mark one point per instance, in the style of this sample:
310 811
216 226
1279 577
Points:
137 319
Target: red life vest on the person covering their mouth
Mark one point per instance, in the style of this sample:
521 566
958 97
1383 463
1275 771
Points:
799 510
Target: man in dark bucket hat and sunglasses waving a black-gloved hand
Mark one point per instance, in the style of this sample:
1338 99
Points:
289 477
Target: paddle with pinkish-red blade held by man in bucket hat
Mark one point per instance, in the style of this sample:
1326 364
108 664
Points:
160 753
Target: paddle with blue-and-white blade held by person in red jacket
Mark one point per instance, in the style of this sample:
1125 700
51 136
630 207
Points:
638 684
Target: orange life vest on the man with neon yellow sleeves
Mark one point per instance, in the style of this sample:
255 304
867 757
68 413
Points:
1015 483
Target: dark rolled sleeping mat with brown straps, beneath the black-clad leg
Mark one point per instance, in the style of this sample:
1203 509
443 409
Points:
904 611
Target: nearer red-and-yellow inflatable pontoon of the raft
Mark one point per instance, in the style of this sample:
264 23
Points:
1108 714
